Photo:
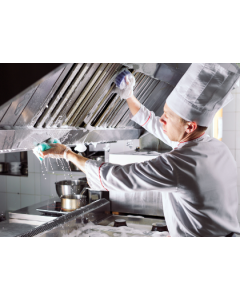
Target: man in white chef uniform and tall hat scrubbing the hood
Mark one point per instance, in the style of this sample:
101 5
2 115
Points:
198 178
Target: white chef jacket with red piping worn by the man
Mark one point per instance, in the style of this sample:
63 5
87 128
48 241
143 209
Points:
198 180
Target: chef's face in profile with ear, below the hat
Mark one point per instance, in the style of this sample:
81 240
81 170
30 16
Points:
174 126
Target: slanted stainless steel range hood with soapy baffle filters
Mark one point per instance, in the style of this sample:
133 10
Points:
76 103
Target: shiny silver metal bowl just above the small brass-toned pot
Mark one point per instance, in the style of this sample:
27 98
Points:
70 187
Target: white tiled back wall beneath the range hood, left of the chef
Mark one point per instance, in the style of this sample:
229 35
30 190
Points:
19 192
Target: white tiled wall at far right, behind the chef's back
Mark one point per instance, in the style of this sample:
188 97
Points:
231 131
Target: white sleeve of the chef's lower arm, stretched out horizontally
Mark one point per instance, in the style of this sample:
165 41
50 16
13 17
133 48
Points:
157 174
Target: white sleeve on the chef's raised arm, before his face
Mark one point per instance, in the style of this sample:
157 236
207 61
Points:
151 123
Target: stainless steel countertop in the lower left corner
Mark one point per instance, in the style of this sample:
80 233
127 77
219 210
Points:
25 219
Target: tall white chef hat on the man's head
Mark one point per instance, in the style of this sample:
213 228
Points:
203 91
